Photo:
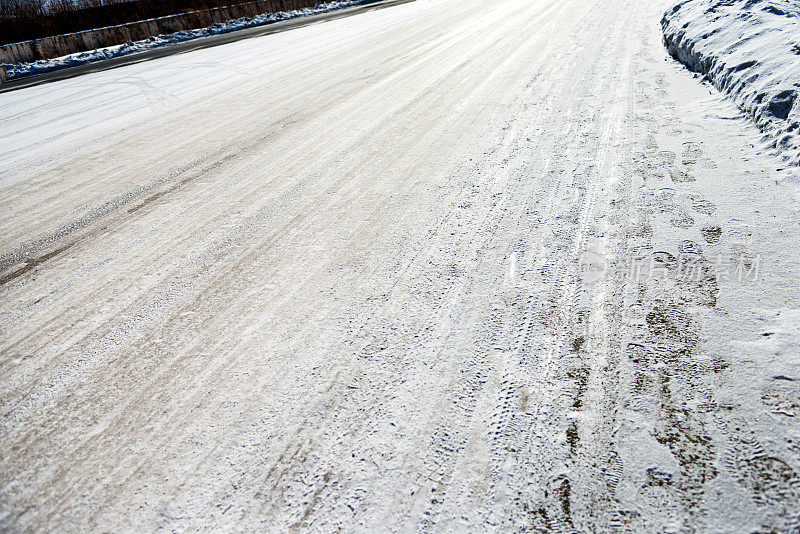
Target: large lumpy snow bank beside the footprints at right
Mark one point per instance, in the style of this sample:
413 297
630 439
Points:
749 49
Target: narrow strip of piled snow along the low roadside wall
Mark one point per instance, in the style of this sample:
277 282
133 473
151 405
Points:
81 58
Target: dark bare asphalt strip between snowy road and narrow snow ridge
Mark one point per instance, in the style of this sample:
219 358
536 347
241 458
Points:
194 44
